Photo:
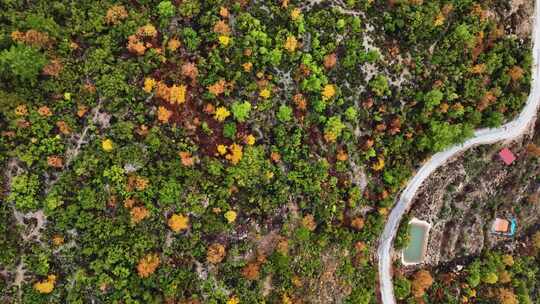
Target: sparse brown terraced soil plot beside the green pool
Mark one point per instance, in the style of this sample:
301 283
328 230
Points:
462 199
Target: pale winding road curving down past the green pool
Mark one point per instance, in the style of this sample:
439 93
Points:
508 131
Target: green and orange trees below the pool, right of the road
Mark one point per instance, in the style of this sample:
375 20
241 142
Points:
494 277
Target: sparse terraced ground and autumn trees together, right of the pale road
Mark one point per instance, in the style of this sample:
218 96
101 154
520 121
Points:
474 265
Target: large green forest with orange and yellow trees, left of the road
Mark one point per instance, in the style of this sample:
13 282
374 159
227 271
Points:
229 151
